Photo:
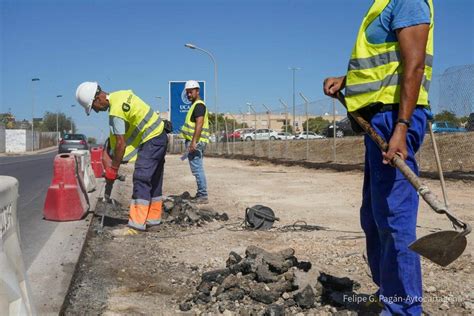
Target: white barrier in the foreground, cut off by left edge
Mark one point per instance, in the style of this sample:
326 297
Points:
14 290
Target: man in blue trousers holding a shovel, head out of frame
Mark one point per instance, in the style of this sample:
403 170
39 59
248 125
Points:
387 81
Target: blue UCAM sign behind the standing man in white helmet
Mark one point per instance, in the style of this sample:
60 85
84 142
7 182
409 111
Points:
179 104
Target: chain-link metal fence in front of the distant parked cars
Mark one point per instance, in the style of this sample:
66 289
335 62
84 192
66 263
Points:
452 101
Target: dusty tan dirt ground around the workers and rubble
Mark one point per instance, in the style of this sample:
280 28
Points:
152 273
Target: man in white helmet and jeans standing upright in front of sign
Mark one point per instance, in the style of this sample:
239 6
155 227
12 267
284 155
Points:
196 133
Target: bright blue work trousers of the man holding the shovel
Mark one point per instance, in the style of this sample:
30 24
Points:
388 218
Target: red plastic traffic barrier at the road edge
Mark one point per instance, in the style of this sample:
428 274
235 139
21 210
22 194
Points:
66 199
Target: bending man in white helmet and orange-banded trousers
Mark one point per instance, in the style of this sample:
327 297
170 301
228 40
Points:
136 130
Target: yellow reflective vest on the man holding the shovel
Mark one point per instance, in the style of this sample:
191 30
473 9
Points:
375 70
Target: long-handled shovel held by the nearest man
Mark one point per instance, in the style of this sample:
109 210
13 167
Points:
441 247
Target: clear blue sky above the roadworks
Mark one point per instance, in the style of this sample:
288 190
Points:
139 45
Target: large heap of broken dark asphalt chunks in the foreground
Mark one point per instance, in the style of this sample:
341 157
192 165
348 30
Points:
265 283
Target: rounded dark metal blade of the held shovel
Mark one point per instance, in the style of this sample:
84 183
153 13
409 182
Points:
441 247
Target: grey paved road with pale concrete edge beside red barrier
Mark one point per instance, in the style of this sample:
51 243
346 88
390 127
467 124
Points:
50 249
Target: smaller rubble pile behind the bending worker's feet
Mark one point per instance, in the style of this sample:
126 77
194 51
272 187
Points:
178 209
